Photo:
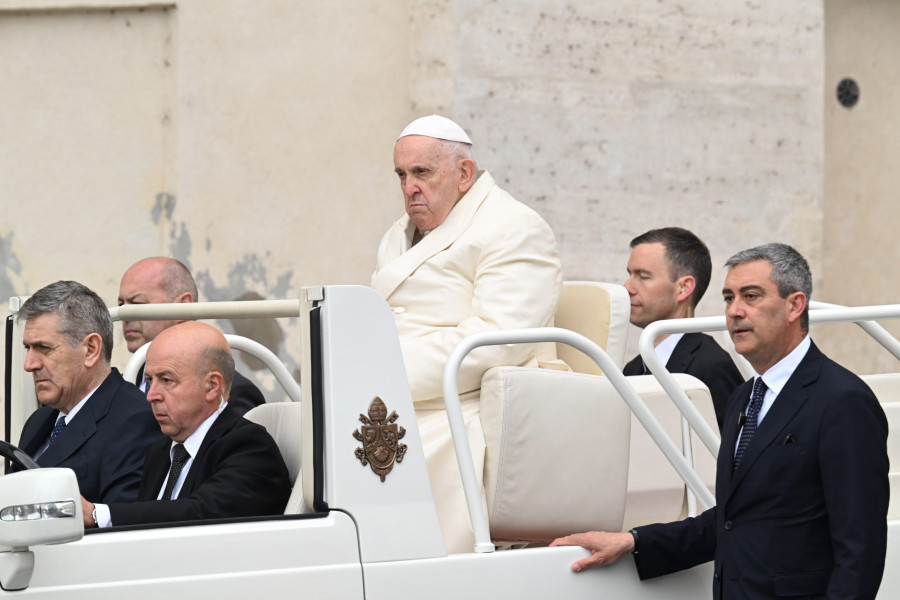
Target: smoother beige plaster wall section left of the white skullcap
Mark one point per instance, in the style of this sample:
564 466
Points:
251 140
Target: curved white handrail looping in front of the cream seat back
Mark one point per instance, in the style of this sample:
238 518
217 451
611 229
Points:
616 378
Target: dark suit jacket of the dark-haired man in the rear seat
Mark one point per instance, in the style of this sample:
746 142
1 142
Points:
699 355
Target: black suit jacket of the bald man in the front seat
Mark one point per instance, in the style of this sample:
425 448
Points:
238 472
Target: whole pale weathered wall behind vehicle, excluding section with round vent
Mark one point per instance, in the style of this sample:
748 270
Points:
252 139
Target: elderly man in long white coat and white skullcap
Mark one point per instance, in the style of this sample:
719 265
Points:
465 258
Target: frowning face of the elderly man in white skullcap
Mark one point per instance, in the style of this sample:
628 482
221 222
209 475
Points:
430 179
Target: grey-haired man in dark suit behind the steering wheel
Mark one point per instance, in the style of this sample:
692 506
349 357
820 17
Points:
92 421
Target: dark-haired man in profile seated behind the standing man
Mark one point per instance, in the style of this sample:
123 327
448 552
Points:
668 272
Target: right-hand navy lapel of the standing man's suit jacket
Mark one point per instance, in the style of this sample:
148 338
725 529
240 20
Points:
791 398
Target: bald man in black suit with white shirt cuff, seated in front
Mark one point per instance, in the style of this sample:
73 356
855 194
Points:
215 464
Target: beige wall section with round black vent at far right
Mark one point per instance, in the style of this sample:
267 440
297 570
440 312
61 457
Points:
862 174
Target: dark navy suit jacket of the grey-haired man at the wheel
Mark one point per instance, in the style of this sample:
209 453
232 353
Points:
104 444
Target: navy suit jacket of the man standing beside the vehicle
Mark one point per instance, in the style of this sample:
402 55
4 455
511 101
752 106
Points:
805 514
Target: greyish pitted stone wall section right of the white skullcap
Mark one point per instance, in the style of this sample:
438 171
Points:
612 118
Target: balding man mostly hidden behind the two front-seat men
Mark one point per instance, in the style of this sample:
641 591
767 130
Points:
161 280
